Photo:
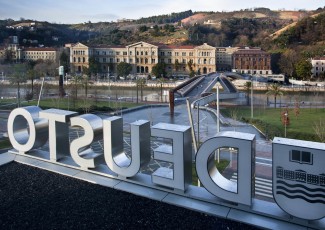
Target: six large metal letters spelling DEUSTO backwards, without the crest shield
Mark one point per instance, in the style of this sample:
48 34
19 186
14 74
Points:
31 127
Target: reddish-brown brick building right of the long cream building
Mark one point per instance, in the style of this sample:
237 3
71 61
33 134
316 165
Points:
252 61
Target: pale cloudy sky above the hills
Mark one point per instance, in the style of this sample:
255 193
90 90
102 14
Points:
79 11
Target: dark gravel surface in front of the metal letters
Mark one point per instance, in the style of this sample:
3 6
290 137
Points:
32 198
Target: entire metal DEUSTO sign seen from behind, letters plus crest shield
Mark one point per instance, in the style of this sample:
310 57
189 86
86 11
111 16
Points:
297 165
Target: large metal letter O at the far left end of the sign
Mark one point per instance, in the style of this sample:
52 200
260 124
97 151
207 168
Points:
26 130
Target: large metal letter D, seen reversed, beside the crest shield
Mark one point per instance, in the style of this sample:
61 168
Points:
214 182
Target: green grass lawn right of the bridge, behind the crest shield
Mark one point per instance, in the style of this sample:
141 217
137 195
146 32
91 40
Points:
301 126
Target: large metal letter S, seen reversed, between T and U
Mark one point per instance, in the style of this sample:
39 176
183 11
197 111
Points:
80 149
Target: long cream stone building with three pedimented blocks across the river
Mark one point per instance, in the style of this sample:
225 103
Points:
143 56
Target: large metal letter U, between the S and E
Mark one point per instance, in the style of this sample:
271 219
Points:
115 156
